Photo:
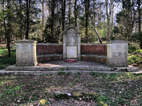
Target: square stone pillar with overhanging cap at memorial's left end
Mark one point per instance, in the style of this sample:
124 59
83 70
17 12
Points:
26 53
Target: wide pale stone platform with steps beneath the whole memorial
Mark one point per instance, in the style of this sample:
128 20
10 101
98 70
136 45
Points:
76 66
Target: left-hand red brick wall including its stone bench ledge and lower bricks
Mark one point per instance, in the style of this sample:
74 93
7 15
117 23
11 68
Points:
49 52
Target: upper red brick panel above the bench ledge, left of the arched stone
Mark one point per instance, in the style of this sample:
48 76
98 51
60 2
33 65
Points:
43 49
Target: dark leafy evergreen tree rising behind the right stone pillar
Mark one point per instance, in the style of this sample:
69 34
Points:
126 19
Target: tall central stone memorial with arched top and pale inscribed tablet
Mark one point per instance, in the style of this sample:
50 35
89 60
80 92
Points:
71 43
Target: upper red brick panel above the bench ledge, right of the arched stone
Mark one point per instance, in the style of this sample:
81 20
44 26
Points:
100 49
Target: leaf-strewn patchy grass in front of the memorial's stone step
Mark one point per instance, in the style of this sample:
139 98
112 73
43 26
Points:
113 89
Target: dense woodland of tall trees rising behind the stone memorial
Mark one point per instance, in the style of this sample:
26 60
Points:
45 20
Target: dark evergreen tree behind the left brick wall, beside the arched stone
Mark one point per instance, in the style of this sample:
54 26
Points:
52 29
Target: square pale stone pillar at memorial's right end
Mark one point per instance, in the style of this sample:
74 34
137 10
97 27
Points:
117 52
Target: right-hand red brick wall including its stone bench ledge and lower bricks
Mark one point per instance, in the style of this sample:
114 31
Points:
94 52
